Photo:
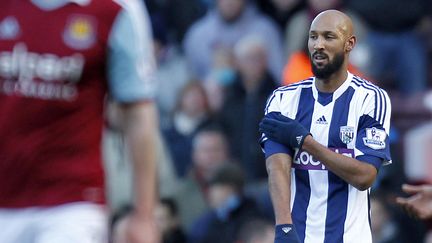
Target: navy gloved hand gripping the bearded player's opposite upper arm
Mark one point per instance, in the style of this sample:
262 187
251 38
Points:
284 130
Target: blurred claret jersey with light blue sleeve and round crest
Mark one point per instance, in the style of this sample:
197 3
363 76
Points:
58 60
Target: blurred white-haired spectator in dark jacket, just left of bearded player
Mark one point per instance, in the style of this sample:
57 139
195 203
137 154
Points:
244 104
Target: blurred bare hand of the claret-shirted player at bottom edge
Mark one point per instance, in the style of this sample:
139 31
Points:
136 229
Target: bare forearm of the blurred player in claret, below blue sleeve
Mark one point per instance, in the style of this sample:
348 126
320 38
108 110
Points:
142 134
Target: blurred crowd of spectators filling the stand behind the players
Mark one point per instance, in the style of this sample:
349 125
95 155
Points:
219 60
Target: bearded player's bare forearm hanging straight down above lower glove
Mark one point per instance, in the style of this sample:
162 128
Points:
278 168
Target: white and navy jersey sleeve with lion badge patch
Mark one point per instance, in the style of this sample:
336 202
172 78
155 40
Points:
372 143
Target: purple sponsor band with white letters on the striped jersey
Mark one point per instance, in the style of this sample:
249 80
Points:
305 161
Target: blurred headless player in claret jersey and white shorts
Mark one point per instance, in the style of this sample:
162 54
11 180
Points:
58 60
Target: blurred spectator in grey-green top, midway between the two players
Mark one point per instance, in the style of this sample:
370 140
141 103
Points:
209 150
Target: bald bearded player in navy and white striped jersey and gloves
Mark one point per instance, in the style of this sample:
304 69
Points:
325 138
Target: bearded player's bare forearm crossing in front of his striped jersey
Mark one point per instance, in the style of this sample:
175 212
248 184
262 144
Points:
360 175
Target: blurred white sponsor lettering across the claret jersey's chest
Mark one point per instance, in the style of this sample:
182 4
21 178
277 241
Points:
44 76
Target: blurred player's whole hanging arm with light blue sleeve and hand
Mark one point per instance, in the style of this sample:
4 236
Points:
131 67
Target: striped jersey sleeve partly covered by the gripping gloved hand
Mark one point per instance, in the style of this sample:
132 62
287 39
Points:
268 146
